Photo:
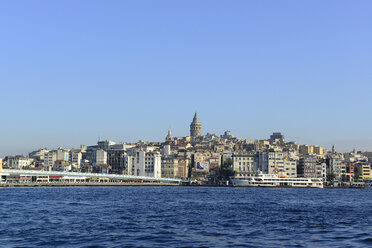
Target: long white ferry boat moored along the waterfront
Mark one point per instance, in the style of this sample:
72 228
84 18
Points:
273 180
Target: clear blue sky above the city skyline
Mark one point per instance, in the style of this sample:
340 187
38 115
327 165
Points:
74 71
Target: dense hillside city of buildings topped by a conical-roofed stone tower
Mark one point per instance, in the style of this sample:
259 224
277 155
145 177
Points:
209 158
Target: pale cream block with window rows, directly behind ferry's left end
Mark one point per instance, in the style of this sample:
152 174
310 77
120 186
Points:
243 164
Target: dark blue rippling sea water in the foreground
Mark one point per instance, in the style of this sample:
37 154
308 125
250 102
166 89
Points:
185 217
